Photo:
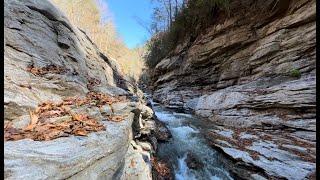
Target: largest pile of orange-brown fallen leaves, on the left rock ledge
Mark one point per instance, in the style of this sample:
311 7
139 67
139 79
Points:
41 127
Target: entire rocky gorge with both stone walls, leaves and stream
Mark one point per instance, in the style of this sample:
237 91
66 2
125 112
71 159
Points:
246 87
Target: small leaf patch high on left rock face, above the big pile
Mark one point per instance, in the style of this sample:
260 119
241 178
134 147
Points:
40 71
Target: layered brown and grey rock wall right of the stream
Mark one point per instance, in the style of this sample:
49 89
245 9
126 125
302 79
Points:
253 75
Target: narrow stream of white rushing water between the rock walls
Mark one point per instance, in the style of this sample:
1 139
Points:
188 139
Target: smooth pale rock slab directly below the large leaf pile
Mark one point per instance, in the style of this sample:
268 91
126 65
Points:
96 156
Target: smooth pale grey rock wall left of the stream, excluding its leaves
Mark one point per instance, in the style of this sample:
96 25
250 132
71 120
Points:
48 59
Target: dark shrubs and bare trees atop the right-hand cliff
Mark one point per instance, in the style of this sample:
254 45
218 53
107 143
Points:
184 20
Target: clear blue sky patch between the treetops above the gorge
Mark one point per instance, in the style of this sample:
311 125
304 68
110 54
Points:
124 12
